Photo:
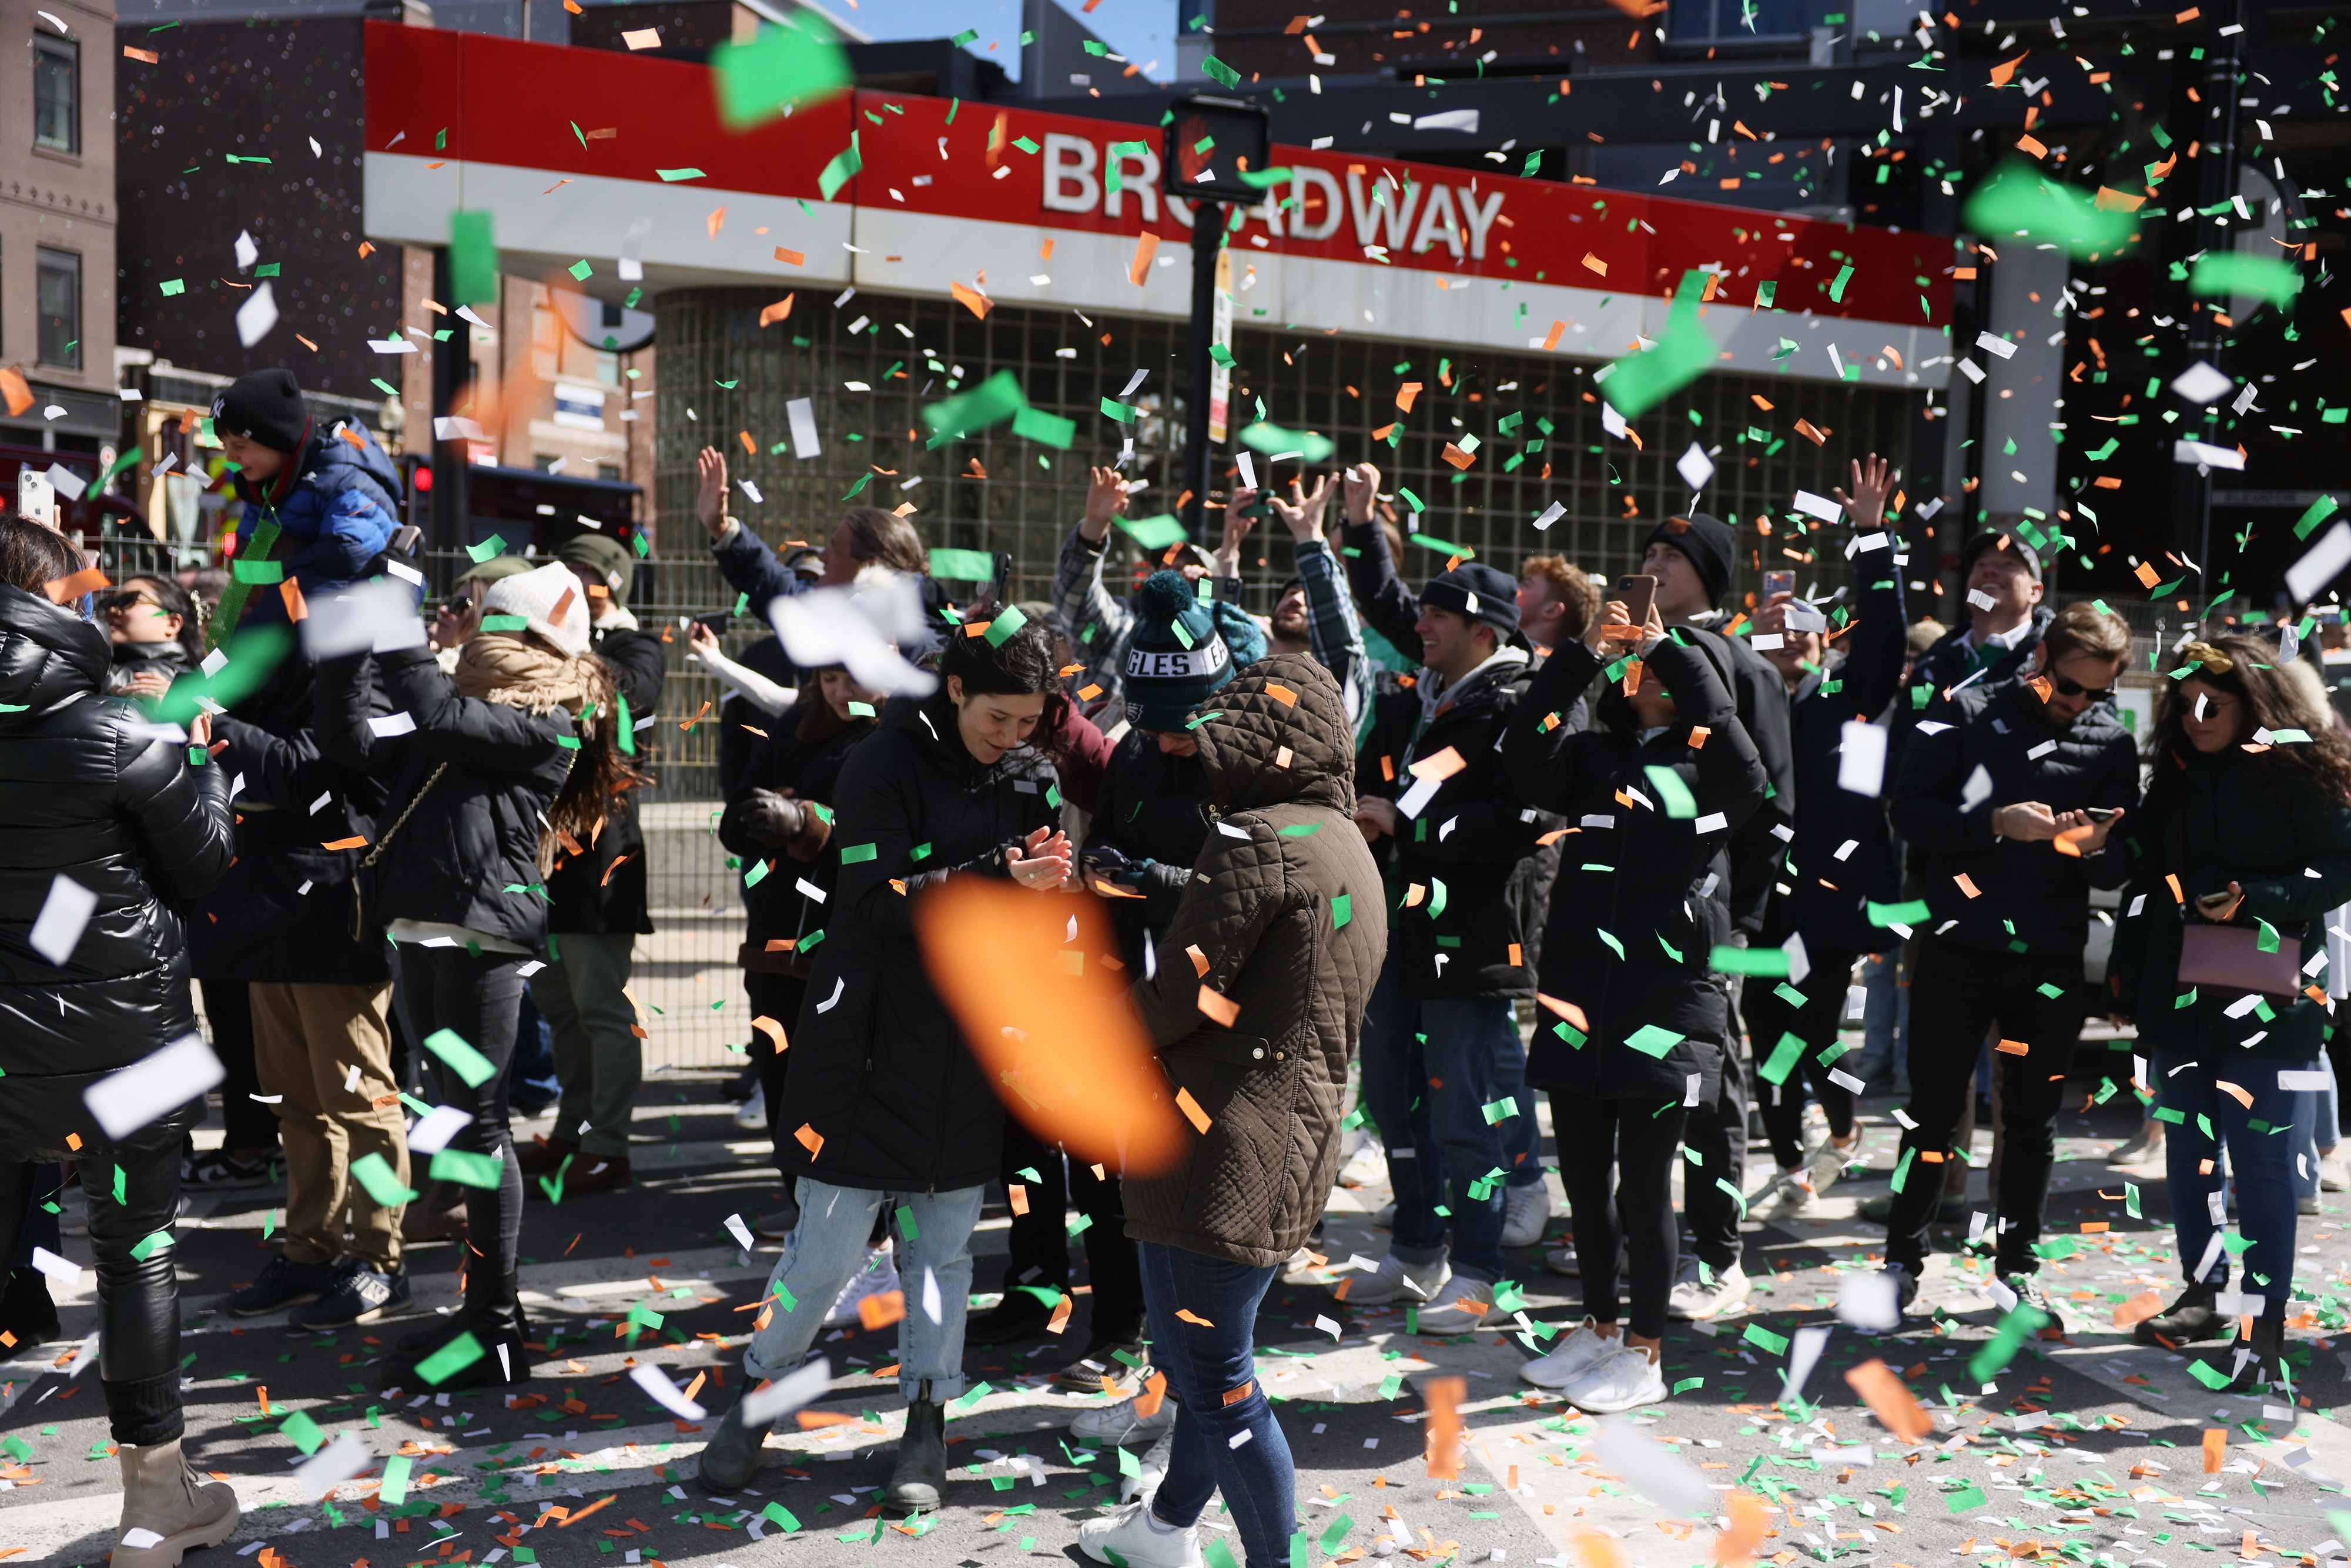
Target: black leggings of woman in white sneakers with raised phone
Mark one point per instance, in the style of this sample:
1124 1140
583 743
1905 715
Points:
1619 1167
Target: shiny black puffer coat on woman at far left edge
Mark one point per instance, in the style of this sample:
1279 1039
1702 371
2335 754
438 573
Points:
86 796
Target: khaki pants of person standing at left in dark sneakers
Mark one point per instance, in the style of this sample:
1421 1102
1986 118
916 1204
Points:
307 1043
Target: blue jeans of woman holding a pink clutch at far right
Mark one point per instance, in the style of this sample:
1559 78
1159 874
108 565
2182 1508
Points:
2260 1160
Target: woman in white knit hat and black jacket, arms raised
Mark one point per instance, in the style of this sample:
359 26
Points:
511 763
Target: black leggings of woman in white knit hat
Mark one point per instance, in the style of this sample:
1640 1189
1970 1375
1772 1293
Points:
481 1003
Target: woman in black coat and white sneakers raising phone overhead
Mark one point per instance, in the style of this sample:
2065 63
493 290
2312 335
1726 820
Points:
1635 1024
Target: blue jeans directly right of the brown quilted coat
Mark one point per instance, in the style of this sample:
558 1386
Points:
1431 1071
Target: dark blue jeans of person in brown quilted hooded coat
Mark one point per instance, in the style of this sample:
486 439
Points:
1221 1442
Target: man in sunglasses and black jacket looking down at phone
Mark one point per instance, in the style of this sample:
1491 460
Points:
2011 800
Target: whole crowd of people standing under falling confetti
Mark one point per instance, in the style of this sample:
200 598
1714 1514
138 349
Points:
1348 852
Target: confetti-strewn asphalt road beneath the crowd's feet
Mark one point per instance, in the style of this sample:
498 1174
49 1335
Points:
2084 1447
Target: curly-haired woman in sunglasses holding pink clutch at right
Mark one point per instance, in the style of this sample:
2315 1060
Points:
2244 845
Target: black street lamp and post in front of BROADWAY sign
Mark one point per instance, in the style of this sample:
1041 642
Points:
1210 145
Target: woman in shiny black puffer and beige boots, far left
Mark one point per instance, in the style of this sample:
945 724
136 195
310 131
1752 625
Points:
116 812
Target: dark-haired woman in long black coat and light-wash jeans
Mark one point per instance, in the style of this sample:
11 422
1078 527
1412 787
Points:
885 1094
